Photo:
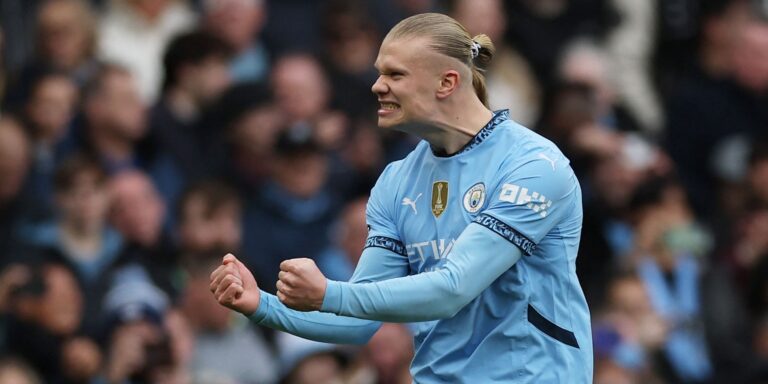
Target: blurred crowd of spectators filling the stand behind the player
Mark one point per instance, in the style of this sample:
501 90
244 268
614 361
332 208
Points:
141 140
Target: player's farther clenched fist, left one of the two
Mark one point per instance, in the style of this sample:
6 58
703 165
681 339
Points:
234 286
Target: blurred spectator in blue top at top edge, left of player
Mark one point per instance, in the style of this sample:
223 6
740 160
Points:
239 23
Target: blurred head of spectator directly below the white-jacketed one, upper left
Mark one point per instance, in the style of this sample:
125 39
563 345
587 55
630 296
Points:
114 119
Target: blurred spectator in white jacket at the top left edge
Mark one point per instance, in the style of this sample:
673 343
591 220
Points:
134 33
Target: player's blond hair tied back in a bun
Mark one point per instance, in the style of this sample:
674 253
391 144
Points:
450 38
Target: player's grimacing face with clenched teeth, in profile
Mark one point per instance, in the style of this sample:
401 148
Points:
407 81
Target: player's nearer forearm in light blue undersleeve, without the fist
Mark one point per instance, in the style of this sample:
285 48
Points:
431 295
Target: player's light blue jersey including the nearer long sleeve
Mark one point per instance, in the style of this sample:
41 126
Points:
459 226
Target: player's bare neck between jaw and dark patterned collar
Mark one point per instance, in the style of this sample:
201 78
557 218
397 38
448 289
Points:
454 124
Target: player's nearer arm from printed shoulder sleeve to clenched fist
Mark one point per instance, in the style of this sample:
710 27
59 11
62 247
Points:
530 201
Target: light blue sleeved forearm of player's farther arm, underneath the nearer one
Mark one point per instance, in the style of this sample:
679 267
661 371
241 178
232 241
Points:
318 326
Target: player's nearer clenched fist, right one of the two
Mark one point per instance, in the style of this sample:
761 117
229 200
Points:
301 285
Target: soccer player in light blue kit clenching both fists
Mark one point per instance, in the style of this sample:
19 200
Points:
473 235
